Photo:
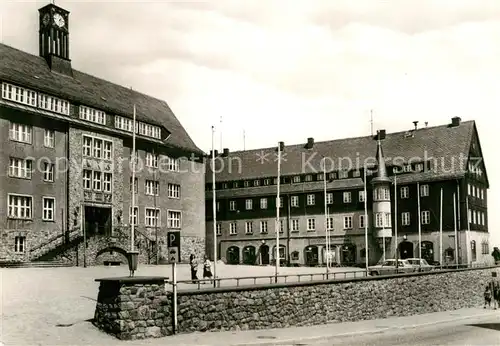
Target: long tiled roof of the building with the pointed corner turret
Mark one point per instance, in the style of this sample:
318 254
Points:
447 145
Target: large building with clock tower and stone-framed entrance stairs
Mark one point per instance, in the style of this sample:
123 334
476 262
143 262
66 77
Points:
66 148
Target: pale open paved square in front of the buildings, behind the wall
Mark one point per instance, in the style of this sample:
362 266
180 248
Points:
51 306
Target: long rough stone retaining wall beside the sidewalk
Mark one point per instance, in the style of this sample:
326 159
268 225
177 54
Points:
319 302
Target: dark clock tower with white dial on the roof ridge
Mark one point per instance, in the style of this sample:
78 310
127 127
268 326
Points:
54 38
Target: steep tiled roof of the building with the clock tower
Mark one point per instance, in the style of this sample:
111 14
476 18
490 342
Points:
33 72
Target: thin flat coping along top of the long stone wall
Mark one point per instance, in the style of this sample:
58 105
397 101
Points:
187 292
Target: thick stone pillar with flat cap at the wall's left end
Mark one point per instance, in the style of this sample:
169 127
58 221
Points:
133 308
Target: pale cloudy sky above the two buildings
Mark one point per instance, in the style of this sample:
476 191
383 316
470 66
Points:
288 70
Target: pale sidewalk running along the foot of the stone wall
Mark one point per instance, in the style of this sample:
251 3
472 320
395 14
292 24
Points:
295 334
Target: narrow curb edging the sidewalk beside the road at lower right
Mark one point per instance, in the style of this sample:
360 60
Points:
365 332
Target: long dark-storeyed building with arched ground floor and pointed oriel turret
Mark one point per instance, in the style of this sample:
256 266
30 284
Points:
406 172
